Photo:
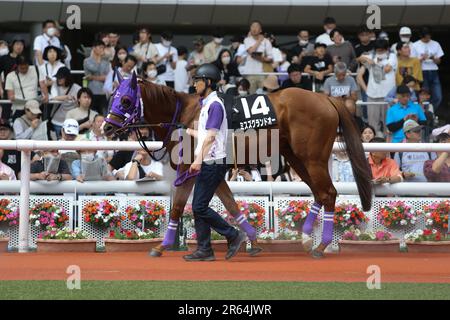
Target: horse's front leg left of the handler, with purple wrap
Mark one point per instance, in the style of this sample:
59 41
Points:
178 203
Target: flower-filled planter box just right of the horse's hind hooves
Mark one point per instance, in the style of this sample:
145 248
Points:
354 240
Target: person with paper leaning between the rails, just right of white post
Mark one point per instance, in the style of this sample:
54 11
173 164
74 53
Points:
50 168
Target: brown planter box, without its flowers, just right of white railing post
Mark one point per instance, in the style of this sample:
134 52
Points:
84 245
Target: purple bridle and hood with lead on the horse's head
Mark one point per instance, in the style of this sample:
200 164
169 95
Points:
130 117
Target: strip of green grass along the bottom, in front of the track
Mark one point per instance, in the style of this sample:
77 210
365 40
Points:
220 290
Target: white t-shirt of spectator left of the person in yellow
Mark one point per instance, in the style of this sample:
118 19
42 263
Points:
381 89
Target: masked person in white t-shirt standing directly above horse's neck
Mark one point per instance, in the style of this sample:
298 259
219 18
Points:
167 59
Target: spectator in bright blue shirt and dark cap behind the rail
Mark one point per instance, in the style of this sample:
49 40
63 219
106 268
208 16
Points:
400 112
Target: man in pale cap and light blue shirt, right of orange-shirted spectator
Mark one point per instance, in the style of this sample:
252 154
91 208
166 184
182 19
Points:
411 163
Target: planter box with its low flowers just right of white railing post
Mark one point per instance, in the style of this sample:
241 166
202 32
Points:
65 240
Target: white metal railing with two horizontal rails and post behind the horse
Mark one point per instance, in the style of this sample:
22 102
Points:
25 146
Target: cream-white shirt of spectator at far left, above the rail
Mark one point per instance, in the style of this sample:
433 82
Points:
29 82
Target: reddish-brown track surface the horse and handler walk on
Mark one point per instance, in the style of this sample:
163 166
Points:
398 267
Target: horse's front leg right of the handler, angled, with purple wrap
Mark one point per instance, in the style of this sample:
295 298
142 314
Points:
226 196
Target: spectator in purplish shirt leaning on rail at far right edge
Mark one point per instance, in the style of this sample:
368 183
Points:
438 170
